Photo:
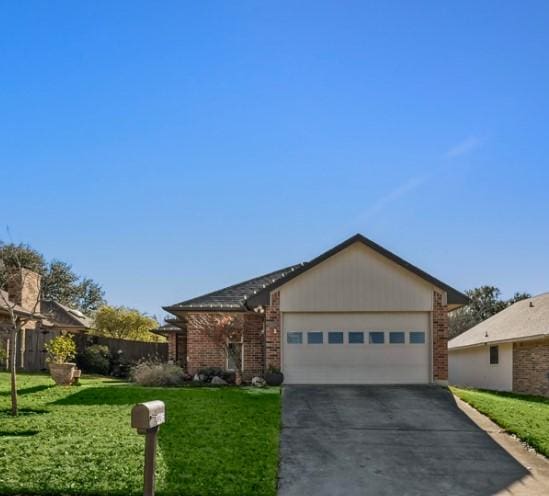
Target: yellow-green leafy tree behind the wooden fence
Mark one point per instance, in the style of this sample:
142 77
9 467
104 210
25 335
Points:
125 323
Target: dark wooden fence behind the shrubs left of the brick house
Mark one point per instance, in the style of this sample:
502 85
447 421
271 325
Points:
34 355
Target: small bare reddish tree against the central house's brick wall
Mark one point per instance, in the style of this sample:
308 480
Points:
226 332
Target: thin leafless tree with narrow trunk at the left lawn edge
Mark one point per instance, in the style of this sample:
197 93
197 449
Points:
18 319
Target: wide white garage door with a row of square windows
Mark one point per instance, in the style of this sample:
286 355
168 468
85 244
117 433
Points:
356 348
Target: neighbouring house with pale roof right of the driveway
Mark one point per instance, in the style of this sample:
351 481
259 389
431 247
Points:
507 352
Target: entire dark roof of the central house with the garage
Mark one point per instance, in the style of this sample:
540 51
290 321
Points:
254 292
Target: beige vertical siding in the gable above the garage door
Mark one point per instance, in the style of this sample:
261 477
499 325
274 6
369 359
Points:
356 279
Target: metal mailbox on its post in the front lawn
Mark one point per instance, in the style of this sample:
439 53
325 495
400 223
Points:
146 418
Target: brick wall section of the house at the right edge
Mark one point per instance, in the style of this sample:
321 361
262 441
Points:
531 367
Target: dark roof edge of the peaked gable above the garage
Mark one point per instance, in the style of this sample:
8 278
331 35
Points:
454 296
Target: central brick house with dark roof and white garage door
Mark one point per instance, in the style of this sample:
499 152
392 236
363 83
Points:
357 314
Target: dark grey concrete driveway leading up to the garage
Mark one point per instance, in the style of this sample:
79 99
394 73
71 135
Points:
386 440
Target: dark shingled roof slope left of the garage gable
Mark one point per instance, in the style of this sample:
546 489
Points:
232 298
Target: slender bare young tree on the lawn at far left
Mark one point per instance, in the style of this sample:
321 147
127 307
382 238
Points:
18 318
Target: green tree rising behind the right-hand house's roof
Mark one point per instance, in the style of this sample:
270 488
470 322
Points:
485 301
